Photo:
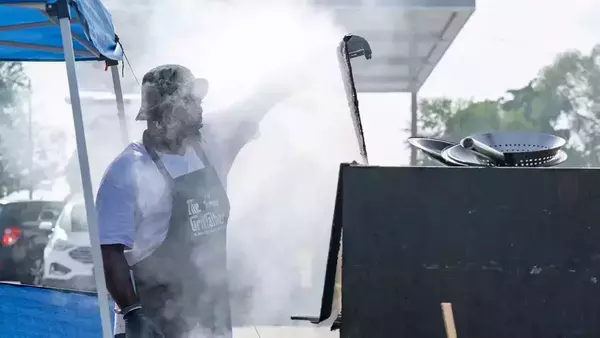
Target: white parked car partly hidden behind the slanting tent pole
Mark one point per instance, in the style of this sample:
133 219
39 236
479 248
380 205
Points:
68 260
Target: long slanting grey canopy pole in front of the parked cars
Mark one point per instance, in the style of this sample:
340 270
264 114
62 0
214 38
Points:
65 30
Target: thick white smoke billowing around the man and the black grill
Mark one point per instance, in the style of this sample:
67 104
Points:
282 186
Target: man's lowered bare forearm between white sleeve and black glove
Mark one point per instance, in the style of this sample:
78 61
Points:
118 278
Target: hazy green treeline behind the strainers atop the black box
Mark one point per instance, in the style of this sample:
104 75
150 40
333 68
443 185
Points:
563 100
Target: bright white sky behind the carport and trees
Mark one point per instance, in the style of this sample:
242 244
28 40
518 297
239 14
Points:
503 45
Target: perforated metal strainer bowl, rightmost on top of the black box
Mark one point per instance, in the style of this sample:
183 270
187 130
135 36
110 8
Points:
522 149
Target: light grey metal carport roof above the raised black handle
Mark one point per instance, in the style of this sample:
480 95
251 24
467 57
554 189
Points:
408 38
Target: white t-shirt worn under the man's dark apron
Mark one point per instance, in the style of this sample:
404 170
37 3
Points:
134 200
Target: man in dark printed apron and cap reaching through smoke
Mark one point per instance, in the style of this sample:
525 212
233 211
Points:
163 210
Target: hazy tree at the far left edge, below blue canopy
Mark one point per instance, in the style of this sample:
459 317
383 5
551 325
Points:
14 85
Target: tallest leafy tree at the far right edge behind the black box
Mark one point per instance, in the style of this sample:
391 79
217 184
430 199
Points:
563 100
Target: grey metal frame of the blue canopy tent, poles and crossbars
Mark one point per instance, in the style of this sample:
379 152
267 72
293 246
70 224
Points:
59 13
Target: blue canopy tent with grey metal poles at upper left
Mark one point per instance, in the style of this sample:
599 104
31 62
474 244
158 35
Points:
69 31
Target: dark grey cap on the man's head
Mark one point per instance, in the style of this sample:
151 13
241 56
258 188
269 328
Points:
168 82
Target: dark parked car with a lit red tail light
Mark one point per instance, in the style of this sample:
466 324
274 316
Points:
24 231
